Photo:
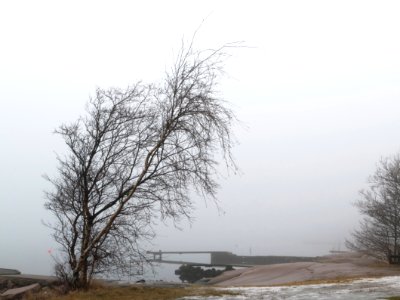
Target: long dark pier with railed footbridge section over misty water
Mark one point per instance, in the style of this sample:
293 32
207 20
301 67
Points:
225 258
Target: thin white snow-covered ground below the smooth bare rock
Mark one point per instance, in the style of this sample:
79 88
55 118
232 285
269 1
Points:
365 289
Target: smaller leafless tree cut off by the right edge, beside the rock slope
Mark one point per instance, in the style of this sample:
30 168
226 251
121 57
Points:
379 232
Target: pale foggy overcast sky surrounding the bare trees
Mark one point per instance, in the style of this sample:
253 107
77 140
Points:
318 89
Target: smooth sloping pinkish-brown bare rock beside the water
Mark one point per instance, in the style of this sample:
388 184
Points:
328 268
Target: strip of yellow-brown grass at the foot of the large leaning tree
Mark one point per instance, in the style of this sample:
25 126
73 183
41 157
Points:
128 293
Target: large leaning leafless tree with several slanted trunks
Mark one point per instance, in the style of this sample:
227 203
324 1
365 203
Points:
134 155
